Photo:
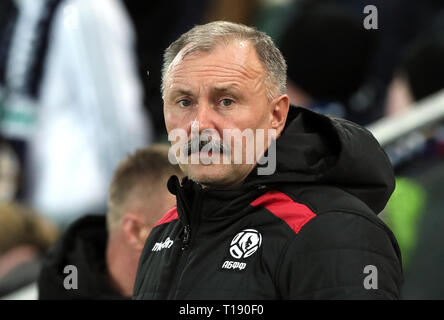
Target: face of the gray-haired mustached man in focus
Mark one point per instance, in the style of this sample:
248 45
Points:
217 90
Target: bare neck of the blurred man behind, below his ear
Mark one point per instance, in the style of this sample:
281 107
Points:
122 265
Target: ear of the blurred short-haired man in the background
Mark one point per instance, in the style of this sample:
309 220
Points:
135 230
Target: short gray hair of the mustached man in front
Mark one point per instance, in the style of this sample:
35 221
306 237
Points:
206 37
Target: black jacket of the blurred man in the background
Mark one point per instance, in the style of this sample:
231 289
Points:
83 245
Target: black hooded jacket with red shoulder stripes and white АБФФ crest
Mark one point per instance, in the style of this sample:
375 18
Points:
308 231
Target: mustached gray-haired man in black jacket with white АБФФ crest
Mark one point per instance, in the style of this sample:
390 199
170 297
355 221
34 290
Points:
308 230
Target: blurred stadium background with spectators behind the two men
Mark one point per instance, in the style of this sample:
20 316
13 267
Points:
79 89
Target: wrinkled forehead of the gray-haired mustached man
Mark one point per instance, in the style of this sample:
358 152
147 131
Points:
236 62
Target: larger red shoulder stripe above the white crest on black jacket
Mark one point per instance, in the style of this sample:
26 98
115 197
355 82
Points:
296 215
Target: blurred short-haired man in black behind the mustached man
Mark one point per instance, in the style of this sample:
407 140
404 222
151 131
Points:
105 250
